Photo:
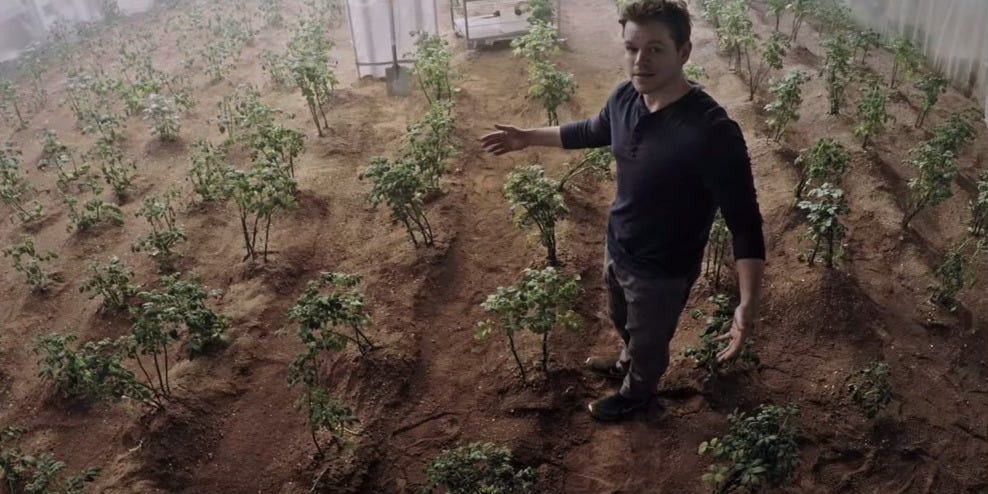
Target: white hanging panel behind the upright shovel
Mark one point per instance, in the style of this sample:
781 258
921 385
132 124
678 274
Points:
370 31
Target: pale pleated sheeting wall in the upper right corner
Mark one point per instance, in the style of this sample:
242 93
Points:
953 34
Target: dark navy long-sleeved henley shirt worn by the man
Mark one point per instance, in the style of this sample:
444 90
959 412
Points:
675 167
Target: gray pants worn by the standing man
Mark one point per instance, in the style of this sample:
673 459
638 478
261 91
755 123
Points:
645 312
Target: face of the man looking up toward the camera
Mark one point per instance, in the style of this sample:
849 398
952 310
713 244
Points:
651 56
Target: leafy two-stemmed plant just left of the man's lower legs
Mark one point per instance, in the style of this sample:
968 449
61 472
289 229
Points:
540 301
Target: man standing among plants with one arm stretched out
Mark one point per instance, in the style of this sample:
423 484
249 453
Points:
679 157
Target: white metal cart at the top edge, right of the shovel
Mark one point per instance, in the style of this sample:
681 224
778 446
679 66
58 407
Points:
491 21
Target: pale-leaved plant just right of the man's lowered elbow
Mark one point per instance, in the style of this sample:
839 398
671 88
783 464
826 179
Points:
824 210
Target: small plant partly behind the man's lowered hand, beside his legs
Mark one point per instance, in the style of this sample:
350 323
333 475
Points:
705 356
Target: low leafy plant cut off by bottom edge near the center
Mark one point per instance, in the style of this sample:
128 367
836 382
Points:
478 468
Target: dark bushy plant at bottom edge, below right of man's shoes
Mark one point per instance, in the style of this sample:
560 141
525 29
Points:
758 452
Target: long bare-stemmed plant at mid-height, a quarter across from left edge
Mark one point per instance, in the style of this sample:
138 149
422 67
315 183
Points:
259 193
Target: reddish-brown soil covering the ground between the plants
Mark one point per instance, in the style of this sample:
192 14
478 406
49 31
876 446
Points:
430 385
